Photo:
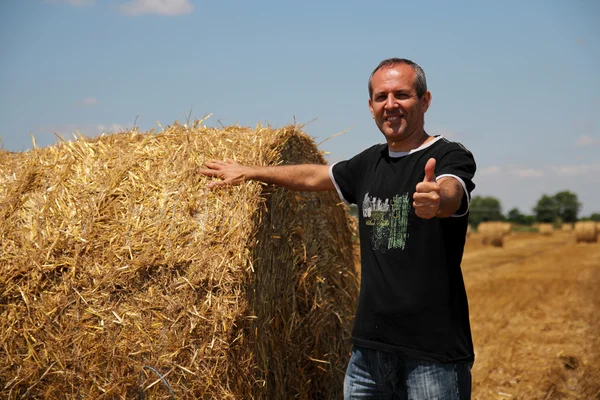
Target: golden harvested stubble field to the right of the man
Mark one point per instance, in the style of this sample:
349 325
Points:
534 314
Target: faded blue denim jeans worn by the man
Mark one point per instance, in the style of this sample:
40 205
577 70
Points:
374 374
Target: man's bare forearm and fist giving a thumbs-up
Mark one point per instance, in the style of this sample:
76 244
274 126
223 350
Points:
437 198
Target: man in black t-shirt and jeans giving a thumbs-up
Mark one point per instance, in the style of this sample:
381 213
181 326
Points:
411 336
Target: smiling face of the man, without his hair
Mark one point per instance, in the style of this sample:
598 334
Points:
395 107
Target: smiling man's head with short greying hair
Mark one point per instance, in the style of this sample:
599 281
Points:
398 100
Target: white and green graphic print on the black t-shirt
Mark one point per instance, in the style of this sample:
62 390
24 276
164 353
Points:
389 221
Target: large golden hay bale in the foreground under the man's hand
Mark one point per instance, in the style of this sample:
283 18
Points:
117 264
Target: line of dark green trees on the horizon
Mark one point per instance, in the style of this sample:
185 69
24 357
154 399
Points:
563 207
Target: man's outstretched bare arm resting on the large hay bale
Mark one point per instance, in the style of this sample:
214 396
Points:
304 177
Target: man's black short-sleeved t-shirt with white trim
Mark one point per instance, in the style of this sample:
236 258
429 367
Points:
412 296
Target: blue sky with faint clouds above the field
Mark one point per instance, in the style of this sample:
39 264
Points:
516 82
